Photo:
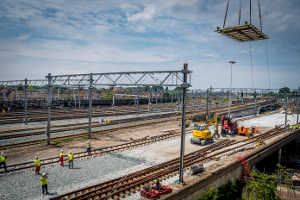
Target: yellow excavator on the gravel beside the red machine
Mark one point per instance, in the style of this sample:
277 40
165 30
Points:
201 134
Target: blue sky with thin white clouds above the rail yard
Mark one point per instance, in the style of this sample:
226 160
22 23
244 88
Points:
69 37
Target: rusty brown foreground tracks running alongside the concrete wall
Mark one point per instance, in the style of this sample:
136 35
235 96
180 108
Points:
130 183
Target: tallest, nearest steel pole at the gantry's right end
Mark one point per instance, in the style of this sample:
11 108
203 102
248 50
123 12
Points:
184 86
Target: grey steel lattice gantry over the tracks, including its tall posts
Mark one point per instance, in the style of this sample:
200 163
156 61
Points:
170 78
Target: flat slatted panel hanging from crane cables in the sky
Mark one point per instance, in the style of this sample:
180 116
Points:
242 33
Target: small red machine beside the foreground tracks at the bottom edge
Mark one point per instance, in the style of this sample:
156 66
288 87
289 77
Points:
155 191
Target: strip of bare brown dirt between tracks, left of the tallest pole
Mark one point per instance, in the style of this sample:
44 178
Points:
22 154
